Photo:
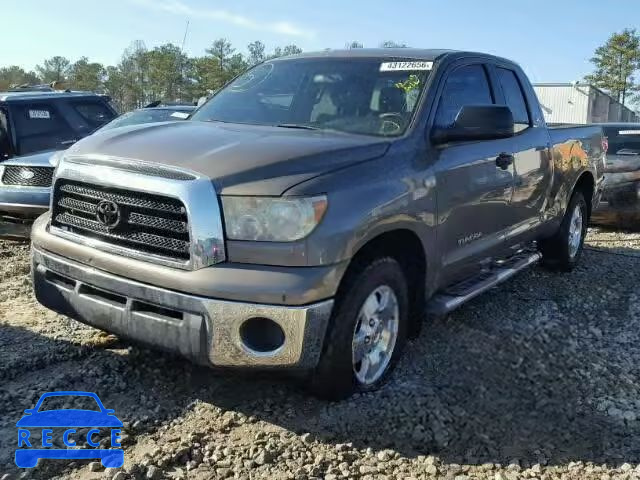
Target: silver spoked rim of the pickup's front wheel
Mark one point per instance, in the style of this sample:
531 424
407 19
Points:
375 335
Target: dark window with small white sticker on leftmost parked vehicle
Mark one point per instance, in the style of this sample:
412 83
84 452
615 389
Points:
39 127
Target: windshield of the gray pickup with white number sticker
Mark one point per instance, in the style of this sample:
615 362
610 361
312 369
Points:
365 96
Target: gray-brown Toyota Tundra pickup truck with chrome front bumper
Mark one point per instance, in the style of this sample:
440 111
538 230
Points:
312 211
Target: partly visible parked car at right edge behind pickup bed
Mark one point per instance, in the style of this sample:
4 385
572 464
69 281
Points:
621 198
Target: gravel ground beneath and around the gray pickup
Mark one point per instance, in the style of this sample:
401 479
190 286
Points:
539 378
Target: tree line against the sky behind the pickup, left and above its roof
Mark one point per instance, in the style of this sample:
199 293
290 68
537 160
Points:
145 75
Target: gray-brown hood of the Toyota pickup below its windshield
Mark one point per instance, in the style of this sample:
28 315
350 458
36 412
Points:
240 159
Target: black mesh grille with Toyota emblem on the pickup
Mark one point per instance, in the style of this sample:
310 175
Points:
140 221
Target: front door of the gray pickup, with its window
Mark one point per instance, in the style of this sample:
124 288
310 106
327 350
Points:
473 191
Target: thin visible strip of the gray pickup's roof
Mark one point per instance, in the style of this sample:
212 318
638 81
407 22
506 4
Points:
428 54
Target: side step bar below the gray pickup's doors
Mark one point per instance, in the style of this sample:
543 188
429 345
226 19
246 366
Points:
448 300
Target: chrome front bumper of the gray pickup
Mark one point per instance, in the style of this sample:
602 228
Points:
206 330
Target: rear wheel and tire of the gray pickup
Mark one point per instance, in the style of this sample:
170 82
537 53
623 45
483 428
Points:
562 251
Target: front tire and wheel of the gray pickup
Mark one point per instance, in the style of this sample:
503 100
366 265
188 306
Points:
335 377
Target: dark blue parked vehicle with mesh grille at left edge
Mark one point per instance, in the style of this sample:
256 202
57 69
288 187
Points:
35 123
